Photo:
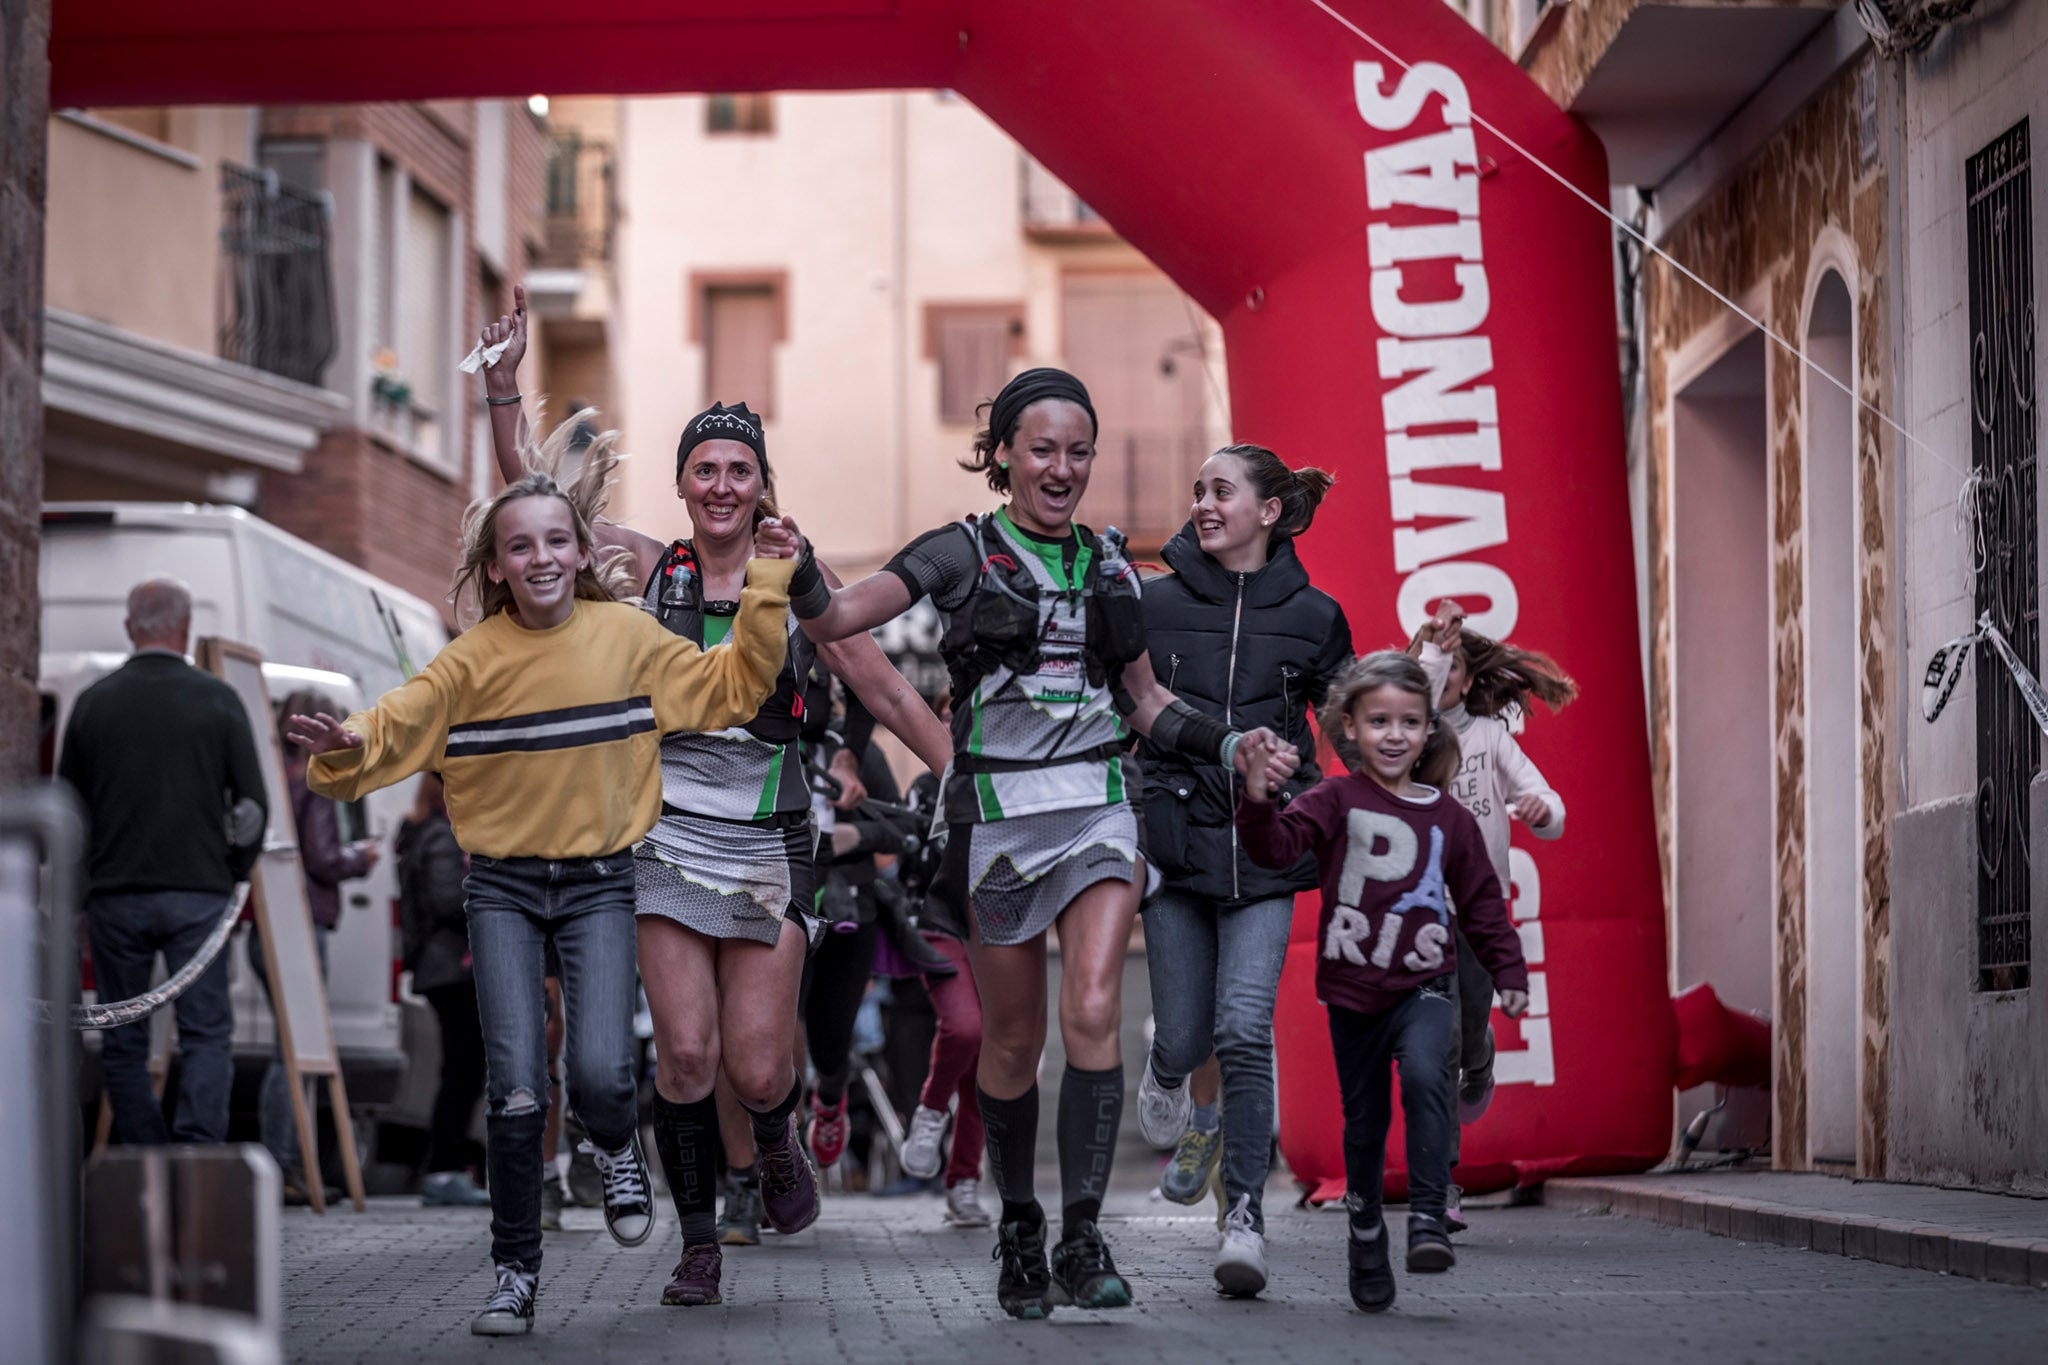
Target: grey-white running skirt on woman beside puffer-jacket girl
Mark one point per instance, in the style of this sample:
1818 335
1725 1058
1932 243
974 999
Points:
1021 873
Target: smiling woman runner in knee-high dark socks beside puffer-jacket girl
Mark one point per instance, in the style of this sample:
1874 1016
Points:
1050 666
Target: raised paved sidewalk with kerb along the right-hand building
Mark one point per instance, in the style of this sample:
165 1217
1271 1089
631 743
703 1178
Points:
1965 1233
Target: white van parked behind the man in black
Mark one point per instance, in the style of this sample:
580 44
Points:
318 625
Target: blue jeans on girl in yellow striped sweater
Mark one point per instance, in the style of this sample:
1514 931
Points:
517 908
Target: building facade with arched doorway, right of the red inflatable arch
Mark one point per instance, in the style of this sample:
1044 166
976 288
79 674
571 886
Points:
1801 556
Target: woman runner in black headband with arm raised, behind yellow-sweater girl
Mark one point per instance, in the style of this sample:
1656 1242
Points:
726 877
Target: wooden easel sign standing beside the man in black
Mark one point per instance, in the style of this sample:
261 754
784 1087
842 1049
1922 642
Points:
292 959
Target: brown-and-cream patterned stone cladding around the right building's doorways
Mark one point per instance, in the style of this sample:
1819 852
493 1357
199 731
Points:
1760 234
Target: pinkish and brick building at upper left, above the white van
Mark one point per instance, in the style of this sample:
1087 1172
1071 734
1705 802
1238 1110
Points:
265 306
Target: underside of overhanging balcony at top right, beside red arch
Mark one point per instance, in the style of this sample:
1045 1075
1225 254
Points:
1660 83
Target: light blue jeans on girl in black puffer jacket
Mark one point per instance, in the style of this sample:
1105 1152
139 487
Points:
1215 977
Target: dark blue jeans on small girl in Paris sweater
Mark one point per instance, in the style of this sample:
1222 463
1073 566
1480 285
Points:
1416 1034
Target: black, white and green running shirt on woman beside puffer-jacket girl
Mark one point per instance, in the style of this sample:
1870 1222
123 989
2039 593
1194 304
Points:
1025 719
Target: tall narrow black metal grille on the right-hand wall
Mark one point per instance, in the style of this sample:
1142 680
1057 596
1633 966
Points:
2004 447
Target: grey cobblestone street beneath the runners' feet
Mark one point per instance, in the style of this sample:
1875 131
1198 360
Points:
884 1280
